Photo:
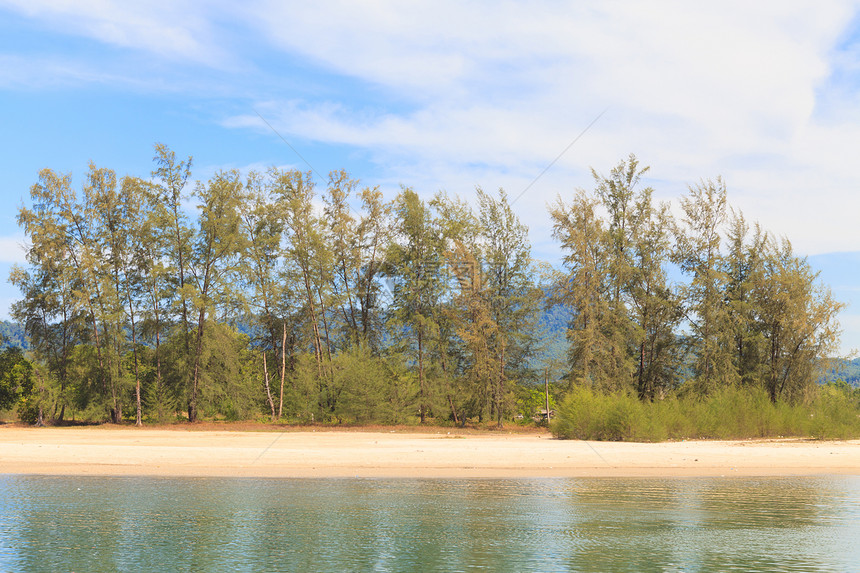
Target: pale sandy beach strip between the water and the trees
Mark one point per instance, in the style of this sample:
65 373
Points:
127 451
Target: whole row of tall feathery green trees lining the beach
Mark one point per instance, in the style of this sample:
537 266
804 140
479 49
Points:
260 296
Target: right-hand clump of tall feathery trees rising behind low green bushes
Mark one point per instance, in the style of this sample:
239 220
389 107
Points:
750 311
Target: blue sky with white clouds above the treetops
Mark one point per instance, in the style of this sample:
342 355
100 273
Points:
438 95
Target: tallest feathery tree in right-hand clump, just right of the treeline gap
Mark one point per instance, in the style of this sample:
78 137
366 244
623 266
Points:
622 332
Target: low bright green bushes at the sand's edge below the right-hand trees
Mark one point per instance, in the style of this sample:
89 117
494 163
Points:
833 412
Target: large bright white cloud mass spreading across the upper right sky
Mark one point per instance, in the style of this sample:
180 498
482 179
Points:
729 89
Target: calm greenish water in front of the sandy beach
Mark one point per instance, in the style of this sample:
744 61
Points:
150 524
